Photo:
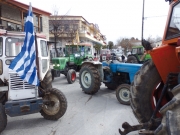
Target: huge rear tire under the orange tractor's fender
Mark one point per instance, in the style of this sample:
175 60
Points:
145 83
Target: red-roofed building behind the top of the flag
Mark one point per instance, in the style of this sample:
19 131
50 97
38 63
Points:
13 16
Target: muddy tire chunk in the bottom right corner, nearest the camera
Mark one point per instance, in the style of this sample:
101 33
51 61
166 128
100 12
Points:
170 124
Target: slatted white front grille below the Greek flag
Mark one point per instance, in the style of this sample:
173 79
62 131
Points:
16 83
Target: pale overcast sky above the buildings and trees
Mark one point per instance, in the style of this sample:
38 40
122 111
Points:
115 18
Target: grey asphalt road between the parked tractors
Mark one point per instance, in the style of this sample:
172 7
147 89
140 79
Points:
100 114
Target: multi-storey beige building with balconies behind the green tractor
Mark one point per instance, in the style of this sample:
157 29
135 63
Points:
68 27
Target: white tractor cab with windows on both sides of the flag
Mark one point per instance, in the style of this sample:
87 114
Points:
10 46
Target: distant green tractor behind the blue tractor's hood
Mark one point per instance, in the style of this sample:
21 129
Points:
138 55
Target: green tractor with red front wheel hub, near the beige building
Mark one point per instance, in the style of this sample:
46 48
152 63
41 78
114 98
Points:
72 61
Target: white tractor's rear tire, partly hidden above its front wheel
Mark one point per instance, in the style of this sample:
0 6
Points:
47 81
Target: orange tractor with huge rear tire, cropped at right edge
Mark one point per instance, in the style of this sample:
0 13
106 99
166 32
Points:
155 92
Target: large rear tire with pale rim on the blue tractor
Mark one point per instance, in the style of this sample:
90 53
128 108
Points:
89 79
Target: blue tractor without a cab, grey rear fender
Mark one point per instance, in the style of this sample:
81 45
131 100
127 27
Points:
115 75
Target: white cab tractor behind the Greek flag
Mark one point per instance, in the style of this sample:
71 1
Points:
17 97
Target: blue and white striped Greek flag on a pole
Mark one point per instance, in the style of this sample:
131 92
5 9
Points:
25 62
